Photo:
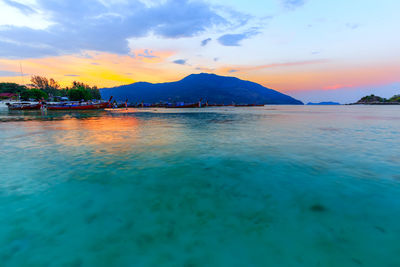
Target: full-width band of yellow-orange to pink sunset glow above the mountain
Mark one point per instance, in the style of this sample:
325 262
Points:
109 70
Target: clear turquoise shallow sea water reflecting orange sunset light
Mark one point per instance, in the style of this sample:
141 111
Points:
271 186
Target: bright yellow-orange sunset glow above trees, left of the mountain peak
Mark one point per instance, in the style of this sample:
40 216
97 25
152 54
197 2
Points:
101 69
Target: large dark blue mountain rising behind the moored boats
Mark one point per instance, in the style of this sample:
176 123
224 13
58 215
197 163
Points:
210 87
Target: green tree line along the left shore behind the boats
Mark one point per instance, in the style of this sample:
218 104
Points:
48 89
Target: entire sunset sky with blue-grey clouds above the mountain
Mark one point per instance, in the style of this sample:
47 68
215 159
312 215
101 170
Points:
313 50
